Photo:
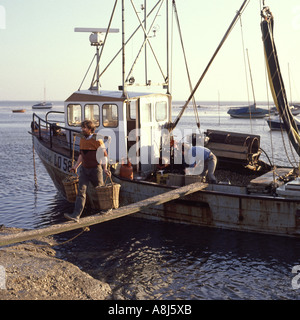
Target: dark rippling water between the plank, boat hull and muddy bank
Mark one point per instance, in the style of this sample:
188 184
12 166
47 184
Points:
150 260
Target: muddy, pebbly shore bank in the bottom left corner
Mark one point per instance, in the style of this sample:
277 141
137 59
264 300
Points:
32 271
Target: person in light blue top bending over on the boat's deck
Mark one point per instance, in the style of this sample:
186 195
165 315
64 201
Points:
200 160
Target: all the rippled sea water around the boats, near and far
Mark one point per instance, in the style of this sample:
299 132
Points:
142 259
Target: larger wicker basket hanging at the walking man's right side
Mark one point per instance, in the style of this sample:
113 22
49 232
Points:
108 195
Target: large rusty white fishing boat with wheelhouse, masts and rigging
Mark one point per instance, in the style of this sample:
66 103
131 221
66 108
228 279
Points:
138 126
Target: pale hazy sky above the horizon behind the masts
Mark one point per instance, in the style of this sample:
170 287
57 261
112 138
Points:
40 50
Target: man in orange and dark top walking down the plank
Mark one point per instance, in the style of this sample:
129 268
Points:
92 155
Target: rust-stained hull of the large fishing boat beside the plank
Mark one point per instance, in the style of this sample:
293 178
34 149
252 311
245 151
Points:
219 206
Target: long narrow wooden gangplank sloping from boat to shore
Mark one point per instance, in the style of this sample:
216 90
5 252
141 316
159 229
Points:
95 219
